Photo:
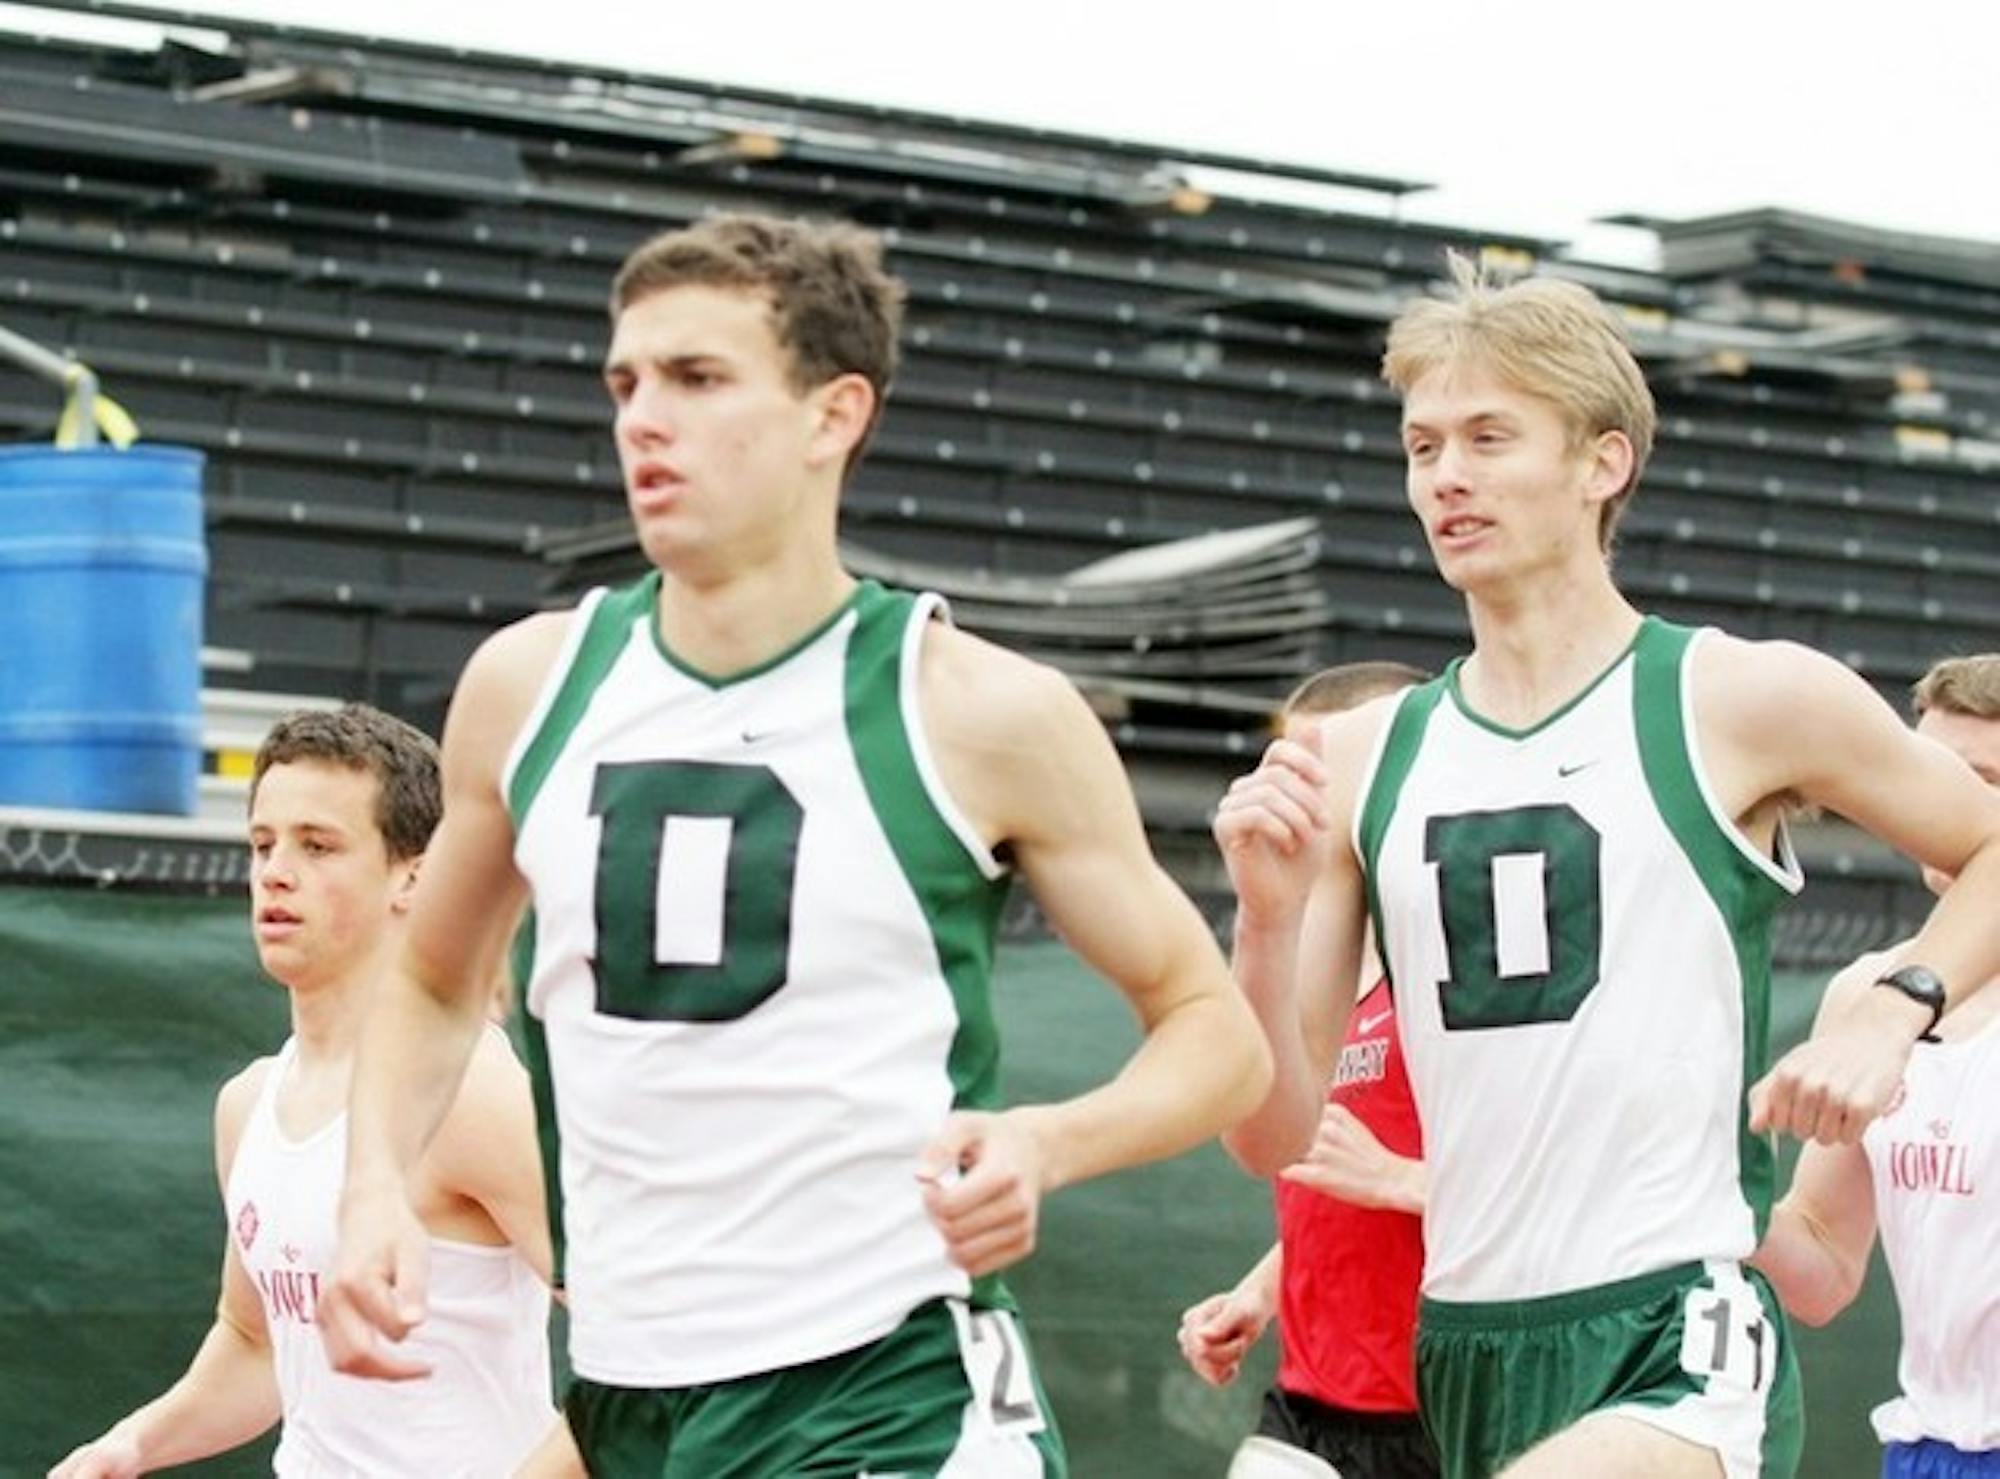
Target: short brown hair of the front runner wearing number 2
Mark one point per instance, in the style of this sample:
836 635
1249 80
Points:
833 307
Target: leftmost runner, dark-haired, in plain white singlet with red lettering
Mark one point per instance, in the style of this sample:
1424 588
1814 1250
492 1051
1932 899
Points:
341 810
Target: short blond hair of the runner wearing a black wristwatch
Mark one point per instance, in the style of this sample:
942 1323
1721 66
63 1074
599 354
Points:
1549 339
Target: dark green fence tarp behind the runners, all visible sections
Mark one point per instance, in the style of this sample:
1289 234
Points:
123 1012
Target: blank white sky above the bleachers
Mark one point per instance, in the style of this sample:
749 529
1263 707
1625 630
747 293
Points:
1531 117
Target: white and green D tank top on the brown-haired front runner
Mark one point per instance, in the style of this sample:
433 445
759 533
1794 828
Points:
757 982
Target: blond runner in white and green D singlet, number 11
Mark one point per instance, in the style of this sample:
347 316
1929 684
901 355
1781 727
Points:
1573 846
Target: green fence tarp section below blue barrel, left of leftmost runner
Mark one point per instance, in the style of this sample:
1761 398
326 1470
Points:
121 1016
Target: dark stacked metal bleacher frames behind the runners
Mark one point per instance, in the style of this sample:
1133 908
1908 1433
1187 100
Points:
369 281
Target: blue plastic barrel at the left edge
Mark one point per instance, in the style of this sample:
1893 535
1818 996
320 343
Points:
101 629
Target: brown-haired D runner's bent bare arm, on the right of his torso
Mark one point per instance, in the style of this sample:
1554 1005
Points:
1037 772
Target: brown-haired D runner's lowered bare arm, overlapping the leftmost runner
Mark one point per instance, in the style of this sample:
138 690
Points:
429 1012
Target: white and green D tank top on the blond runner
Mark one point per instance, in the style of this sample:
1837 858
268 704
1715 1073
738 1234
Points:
1579 940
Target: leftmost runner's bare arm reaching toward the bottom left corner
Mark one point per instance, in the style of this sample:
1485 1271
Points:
229 1394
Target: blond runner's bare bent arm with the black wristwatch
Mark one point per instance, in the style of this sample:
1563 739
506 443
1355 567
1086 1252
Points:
1789 723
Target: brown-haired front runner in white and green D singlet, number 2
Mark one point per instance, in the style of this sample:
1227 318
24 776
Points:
765 816
